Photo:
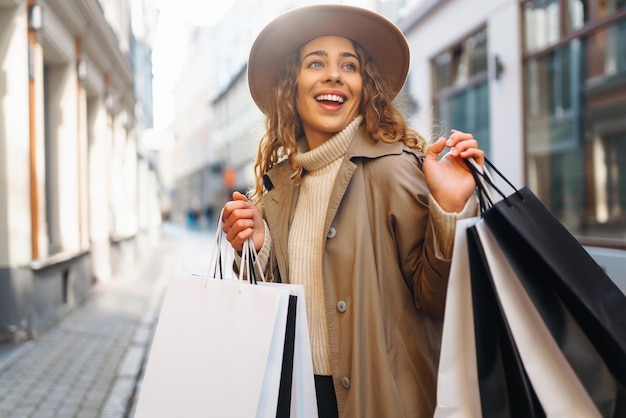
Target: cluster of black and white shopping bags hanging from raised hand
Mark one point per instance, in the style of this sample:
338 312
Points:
545 325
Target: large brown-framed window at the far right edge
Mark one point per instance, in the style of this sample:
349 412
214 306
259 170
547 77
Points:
575 99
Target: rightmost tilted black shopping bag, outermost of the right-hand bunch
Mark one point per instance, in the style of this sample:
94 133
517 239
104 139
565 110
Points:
527 232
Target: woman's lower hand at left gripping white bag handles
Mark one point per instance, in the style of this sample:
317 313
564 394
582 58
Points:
242 220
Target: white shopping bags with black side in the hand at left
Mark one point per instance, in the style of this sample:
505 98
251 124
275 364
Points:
229 347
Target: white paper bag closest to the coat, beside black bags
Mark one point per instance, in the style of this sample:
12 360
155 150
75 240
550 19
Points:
457 377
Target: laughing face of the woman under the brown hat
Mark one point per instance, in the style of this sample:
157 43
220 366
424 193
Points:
329 87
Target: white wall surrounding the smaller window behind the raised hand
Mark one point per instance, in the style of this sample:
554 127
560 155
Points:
447 25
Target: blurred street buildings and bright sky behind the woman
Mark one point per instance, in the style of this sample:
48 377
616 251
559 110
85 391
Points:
120 116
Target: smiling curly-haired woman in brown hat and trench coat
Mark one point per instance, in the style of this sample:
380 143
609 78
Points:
351 203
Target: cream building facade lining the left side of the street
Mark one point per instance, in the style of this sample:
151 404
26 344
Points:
70 171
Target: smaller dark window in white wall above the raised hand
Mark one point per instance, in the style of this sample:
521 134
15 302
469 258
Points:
461 88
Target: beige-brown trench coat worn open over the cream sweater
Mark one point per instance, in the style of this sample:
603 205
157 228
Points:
384 287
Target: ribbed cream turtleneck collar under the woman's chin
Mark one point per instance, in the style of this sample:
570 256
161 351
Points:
329 151
